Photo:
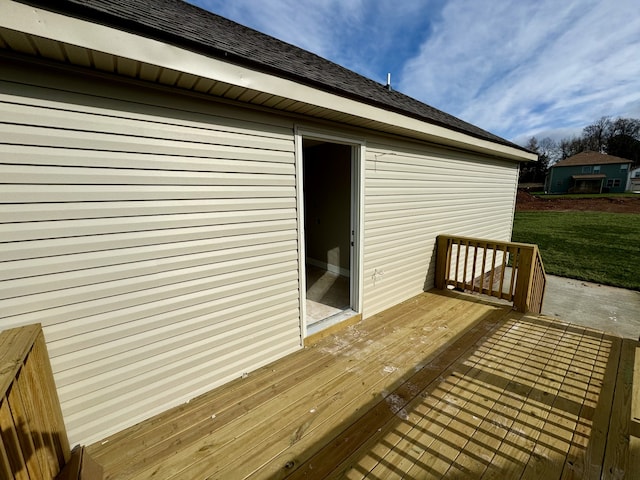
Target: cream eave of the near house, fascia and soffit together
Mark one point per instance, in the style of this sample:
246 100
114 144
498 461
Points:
76 42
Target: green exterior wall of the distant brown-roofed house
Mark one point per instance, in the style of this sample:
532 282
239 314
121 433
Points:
560 181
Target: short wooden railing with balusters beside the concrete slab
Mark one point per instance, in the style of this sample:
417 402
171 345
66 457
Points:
506 270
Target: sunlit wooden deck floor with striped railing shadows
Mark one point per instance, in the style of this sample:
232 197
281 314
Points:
442 386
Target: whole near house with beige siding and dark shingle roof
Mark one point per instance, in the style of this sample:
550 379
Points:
170 176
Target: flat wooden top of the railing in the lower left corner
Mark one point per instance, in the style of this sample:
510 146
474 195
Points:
15 345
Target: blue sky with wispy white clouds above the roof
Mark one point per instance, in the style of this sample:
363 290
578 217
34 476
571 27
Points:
516 68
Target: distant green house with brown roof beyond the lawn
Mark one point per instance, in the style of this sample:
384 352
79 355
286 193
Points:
588 172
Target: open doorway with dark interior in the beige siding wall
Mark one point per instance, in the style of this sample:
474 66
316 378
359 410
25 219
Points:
330 219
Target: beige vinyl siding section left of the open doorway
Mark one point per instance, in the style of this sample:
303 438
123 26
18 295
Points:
154 236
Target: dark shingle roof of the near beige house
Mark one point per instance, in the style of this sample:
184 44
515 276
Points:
191 27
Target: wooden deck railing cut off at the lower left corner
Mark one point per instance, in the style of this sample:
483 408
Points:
33 440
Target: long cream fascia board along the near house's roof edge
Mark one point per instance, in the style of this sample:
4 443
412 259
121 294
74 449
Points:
81 33
